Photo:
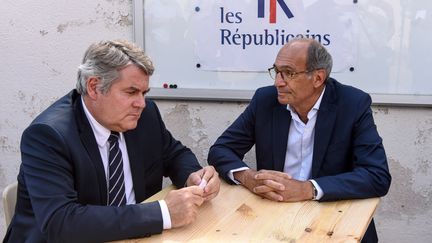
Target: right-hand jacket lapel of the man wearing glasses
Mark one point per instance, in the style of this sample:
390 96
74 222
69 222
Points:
324 126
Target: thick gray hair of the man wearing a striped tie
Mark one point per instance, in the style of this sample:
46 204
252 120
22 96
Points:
104 60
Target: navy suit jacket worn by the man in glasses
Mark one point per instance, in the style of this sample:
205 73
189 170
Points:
348 158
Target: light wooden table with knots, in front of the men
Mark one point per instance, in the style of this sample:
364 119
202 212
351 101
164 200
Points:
237 215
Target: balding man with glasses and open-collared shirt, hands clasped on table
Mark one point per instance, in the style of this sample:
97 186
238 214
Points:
315 139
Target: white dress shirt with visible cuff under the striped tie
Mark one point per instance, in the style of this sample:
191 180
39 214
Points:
102 134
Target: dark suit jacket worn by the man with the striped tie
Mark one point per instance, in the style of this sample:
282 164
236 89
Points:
62 189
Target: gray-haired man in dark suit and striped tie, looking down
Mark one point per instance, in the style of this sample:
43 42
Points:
64 184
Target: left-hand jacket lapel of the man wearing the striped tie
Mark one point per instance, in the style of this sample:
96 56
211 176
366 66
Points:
89 142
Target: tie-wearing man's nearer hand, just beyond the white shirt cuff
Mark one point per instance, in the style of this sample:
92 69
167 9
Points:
183 205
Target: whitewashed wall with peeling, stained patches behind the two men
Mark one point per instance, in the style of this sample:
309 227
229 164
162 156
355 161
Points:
42 43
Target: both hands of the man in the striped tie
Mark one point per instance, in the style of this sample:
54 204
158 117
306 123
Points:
183 203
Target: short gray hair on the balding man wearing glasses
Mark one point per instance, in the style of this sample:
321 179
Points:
318 58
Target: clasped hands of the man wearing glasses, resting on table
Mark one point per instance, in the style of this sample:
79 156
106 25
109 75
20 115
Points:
275 185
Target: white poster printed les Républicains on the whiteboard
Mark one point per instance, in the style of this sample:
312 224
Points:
245 35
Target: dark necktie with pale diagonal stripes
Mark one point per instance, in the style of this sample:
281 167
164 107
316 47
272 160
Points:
116 194
